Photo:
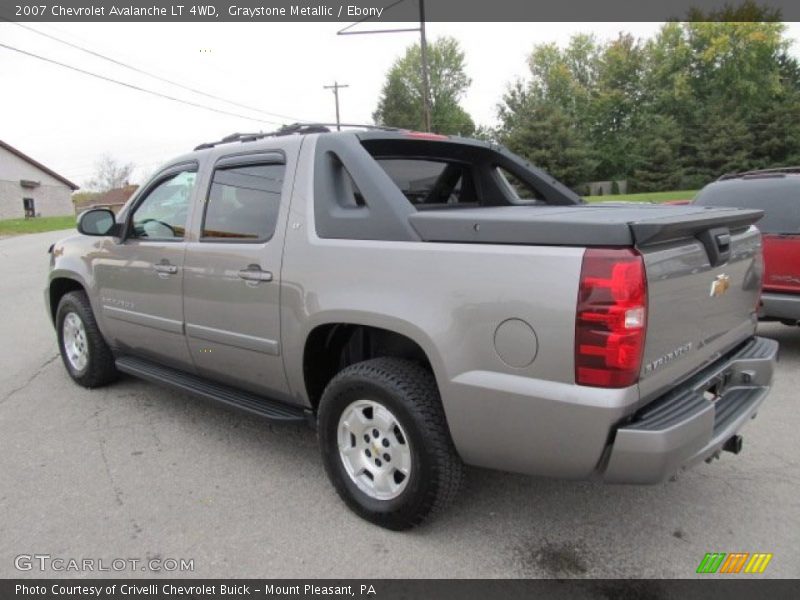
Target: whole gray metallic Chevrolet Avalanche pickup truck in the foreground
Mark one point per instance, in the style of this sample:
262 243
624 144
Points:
427 302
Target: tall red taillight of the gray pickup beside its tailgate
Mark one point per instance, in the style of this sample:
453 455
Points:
611 318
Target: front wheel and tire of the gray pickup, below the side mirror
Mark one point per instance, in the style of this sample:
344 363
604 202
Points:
87 357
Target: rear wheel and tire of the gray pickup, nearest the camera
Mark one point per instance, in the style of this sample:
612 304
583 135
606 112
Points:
385 442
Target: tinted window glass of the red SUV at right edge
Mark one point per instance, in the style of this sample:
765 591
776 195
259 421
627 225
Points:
778 197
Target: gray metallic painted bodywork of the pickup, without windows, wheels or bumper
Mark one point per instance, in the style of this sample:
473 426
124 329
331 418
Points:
450 297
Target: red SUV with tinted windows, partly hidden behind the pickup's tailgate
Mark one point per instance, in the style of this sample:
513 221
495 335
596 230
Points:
777 193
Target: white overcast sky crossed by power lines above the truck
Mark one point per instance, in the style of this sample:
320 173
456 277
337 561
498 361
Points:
67 120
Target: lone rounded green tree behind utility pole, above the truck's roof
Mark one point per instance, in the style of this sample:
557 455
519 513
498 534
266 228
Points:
400 103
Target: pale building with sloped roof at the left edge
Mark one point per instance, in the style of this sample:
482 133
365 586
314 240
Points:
29 189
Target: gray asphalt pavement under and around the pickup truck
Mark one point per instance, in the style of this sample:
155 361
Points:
137 471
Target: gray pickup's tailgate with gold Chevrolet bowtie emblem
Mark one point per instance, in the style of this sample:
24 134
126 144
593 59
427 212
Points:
703 282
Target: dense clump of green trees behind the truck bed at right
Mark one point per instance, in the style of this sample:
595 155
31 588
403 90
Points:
698 99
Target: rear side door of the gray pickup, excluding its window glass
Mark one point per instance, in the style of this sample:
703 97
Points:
233 325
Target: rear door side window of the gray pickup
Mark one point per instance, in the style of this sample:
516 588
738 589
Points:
243 203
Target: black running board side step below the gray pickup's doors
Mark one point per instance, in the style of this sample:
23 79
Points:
257 405
